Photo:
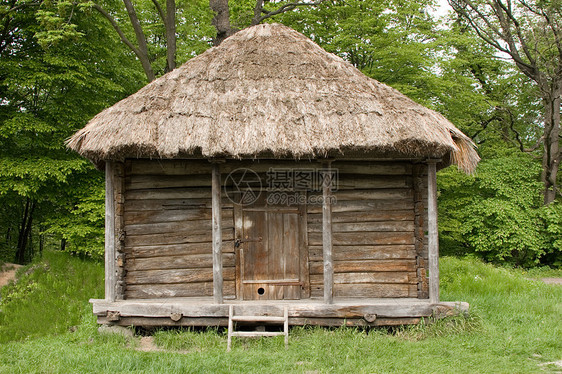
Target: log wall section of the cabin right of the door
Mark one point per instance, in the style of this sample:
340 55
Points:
373 232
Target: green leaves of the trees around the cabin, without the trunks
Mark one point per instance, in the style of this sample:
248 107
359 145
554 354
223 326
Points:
62 63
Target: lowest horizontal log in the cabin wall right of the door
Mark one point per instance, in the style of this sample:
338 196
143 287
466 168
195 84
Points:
375 290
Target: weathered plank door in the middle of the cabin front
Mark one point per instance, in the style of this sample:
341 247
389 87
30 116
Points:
272 254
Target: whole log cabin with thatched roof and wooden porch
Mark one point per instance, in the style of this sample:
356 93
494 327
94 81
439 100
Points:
268 175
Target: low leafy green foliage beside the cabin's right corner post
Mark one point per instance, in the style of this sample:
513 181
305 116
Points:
498 212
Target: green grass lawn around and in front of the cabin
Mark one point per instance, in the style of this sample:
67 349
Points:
515 326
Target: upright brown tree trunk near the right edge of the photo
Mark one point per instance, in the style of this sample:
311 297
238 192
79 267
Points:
551 154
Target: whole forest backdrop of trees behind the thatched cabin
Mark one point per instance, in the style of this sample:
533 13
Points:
494 68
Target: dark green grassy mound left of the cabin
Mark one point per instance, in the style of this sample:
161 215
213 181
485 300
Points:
49 297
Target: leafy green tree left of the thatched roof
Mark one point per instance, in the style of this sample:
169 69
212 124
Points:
50 85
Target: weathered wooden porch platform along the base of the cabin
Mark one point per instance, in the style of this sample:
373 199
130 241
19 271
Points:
202 311
